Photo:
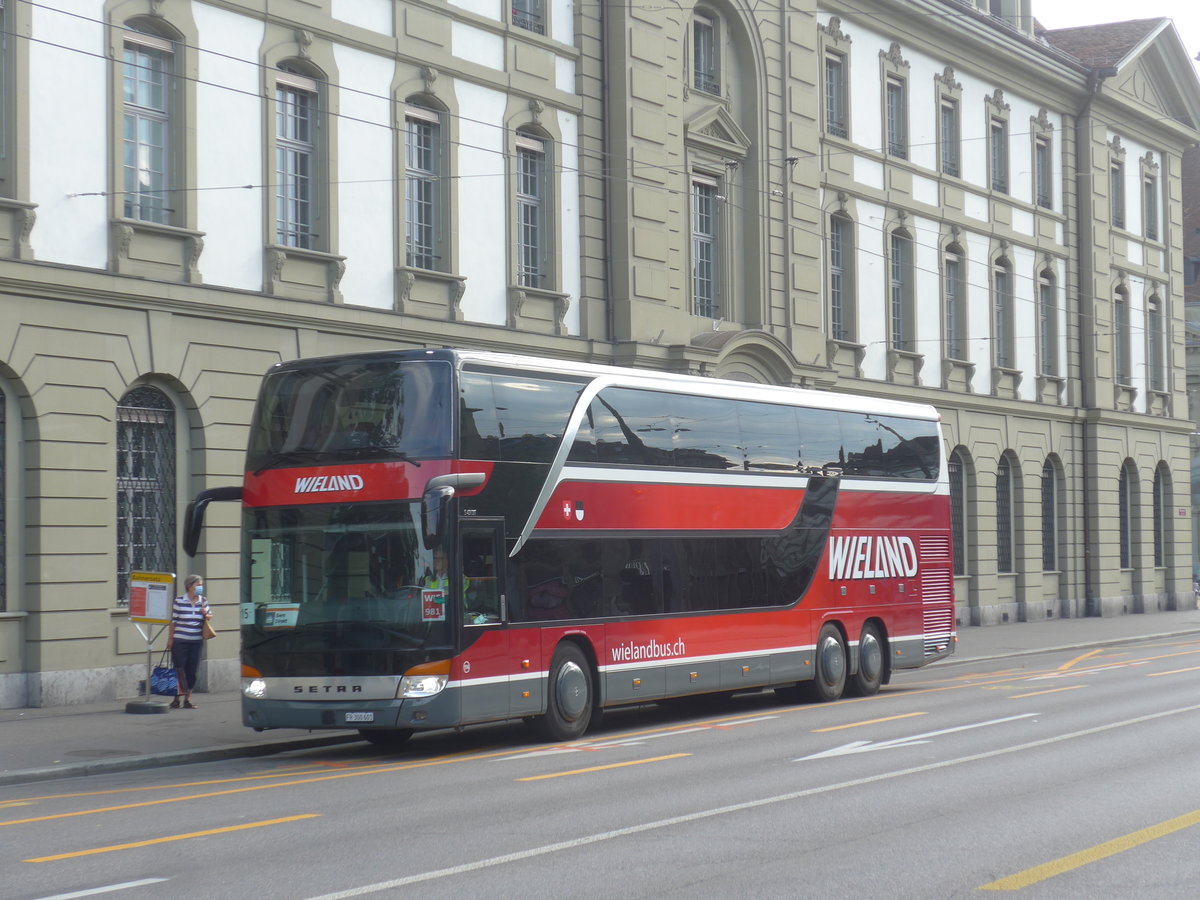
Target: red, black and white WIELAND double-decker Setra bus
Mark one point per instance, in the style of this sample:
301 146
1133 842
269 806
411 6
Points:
439 538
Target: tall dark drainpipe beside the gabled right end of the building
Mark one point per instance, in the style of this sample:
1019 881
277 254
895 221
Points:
1084 253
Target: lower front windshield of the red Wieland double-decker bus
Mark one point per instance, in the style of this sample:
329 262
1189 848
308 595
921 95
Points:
340 589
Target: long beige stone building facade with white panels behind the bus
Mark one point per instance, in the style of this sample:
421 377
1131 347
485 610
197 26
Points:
931 200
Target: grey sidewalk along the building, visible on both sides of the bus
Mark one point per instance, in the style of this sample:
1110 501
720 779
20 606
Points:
95 739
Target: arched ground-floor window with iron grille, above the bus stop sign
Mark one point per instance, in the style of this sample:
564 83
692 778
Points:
146 485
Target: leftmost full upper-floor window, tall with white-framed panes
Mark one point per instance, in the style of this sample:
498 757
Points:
147 128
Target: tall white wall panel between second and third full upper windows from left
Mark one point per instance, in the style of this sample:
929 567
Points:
367 175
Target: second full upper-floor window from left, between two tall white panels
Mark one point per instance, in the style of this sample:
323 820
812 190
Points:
296 158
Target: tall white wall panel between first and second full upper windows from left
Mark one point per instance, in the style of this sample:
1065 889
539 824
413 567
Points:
230 149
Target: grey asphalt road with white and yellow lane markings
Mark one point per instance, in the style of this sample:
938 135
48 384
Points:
1065 776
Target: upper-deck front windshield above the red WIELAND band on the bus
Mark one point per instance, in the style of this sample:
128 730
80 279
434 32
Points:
349 410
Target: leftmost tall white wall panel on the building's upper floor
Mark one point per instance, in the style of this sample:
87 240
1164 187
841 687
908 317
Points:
68 123
